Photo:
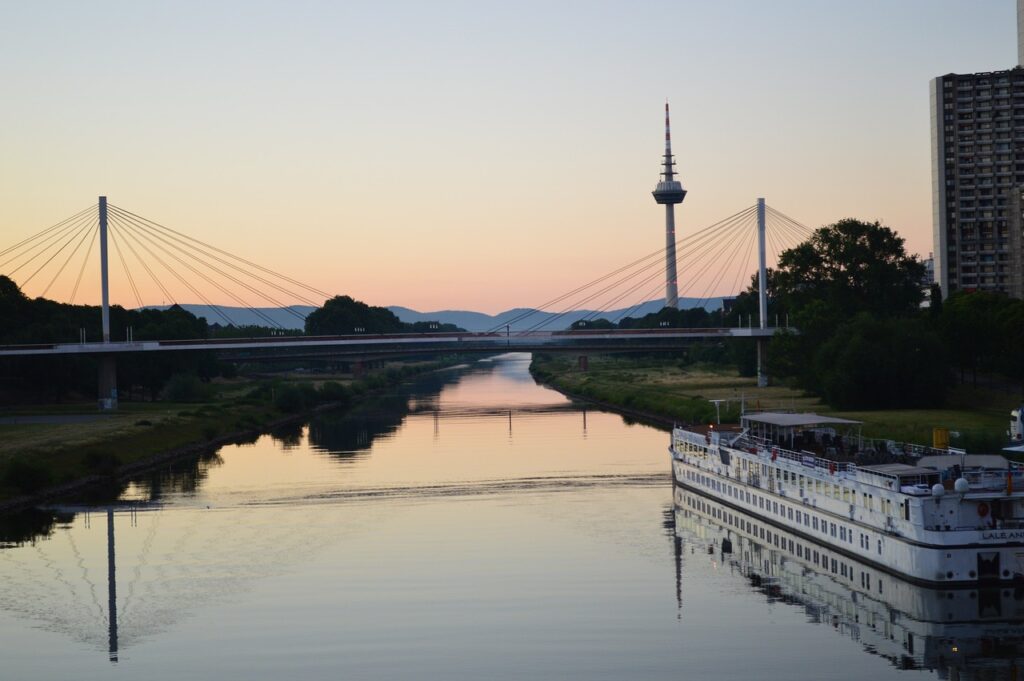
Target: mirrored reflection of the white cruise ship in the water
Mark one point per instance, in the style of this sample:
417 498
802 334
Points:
958 633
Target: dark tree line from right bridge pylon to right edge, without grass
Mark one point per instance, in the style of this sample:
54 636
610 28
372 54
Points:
868 339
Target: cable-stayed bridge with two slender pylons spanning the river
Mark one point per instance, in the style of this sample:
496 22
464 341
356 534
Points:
57 262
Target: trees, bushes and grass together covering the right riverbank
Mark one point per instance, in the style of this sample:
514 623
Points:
869 348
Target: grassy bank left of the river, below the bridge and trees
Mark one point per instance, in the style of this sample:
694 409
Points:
48 447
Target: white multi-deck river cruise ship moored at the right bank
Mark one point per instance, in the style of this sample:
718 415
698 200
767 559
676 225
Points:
934 517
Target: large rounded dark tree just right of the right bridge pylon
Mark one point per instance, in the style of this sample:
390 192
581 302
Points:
856 294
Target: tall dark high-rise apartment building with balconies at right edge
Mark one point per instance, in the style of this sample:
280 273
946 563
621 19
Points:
977 176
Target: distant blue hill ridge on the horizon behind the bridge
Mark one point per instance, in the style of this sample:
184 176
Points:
467 320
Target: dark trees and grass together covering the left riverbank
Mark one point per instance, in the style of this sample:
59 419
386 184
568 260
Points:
53 435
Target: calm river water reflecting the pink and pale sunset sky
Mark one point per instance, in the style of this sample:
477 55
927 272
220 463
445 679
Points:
476 527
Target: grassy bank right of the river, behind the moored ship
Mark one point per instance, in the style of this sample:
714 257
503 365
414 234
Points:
667 390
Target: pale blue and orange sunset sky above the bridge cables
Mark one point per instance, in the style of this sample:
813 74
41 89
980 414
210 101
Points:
473 155
